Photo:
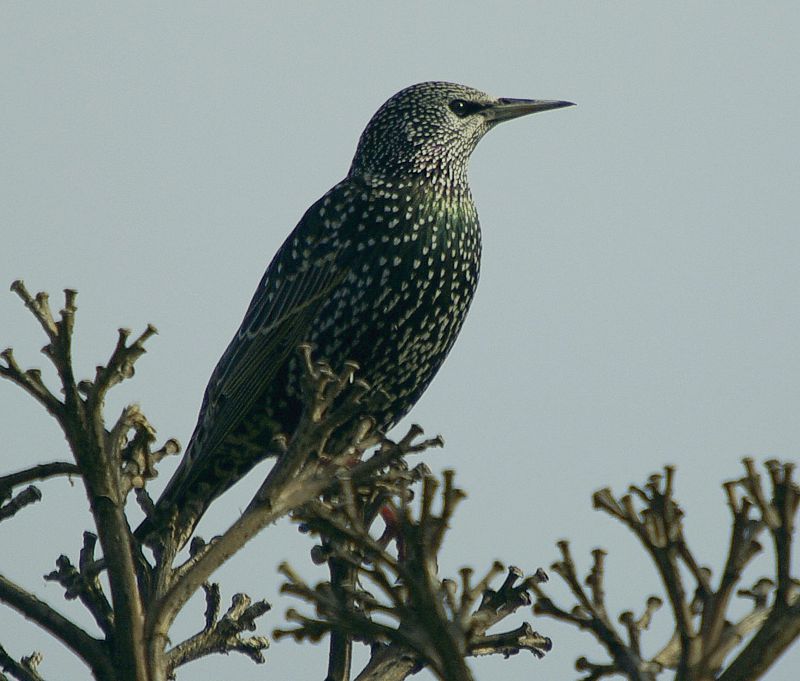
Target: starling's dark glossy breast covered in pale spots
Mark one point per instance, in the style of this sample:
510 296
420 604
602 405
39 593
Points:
413 269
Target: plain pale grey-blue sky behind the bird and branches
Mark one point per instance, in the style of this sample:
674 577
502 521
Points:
639 294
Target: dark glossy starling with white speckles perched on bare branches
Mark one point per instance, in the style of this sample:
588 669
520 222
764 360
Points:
380 271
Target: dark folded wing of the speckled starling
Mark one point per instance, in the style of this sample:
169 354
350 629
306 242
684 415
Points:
300 279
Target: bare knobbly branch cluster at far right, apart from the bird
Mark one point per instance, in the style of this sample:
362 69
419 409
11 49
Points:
705 636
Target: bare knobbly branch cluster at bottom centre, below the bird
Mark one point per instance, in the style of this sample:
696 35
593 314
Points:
432 625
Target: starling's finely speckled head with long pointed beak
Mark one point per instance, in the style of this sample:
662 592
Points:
430 129
